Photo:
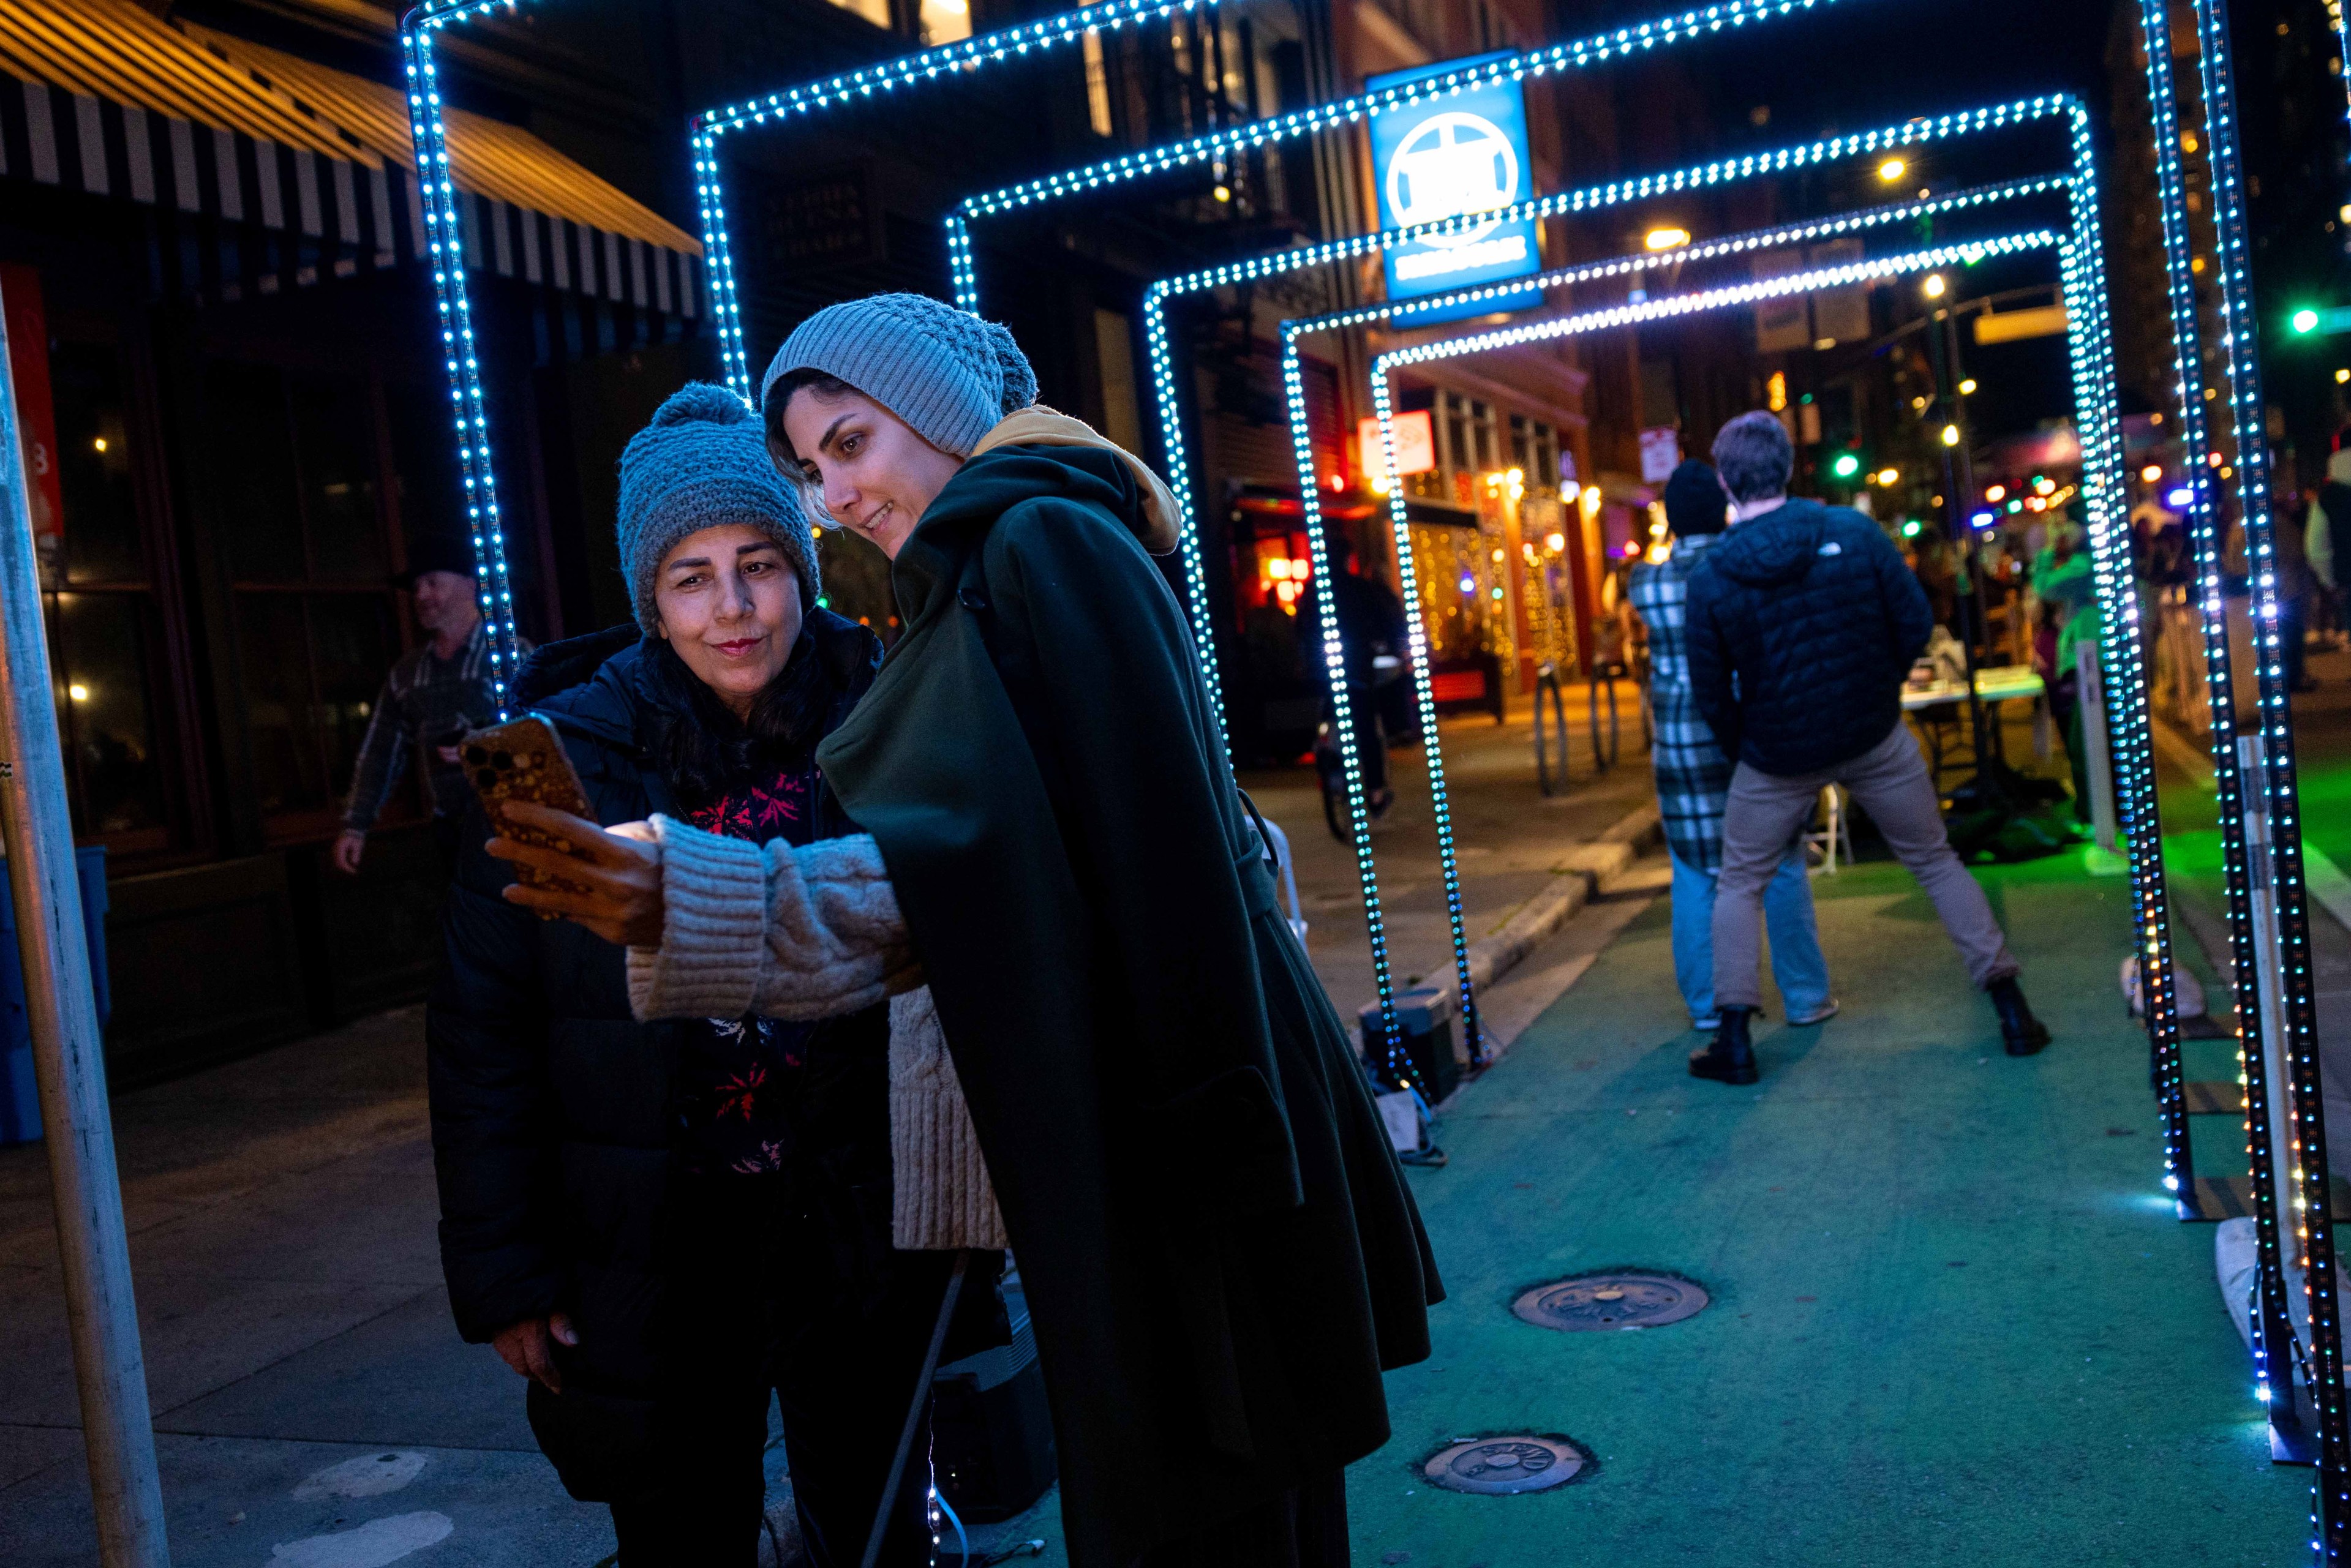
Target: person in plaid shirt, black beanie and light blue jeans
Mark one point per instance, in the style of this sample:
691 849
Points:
1694 777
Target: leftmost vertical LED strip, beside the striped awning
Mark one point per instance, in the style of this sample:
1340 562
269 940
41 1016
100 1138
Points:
446 253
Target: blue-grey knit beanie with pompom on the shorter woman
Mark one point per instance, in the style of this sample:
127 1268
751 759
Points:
704 464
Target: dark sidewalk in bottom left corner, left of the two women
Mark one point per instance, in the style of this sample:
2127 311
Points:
314 1405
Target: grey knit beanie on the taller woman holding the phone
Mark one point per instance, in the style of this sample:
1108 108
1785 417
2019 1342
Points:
946 373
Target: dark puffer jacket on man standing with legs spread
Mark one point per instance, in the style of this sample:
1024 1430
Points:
1802 626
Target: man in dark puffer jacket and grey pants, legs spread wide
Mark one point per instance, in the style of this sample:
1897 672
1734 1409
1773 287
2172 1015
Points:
1804 624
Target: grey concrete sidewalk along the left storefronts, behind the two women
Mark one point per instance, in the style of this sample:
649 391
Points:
312 1398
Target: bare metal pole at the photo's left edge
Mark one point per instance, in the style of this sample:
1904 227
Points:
69 1057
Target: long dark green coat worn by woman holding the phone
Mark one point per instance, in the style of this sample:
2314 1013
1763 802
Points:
1219 1247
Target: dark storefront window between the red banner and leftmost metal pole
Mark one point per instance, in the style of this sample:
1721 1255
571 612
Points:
105 631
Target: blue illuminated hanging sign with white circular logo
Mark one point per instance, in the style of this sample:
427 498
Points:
1445 159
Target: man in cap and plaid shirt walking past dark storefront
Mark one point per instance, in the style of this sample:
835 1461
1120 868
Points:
429 702
